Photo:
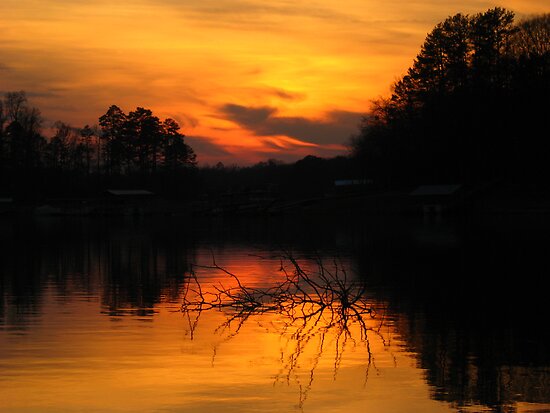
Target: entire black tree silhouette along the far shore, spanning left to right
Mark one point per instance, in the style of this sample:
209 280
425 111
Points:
471 109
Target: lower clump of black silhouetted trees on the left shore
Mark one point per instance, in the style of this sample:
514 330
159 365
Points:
129 150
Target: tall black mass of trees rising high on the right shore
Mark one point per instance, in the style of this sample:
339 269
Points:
472 108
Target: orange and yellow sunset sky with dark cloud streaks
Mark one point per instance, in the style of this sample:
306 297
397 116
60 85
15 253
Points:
247 79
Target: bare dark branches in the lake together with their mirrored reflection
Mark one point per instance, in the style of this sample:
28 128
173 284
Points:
317 305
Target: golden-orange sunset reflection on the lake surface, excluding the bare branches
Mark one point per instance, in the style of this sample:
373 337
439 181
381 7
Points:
74 356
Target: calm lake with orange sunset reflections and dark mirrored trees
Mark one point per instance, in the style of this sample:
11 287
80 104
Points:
454 315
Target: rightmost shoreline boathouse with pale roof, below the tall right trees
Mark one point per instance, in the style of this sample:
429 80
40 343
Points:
434 199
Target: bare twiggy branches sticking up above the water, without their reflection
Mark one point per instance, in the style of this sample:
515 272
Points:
300 293
